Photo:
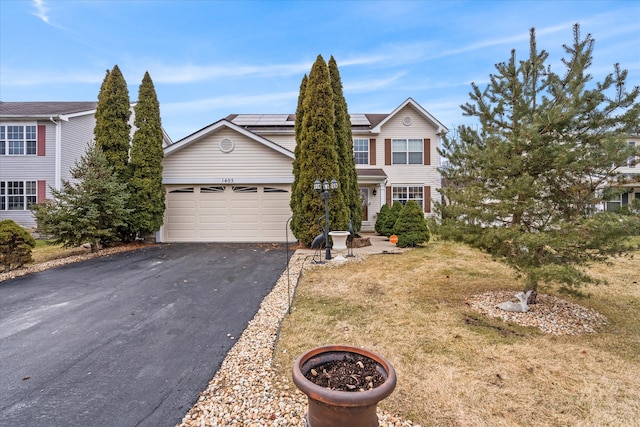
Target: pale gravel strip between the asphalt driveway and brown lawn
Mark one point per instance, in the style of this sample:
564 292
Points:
245 391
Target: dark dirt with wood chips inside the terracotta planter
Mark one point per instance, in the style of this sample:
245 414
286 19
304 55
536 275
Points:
353 373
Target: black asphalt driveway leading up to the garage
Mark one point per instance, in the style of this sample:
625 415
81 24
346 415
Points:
128 339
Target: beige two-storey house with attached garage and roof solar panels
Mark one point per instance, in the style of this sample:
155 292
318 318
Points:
231 181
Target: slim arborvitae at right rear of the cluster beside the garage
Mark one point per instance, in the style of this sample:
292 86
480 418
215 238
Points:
344 144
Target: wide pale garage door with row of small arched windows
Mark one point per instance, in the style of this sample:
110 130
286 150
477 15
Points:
227 213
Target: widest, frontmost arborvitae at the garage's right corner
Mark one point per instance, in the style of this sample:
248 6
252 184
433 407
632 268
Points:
317 159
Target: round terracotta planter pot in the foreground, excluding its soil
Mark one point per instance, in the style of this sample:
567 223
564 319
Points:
332 408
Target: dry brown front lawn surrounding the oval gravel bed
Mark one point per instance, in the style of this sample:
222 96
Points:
456 367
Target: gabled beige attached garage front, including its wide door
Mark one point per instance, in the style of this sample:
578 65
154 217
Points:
226 184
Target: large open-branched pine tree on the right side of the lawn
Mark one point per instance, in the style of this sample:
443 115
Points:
524 185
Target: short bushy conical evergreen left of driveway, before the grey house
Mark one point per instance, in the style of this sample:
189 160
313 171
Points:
88 210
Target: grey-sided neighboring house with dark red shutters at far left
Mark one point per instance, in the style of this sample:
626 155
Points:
40 143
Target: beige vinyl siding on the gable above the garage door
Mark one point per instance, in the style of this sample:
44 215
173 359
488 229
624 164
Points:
203 160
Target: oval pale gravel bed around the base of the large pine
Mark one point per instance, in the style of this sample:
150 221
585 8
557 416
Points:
550 314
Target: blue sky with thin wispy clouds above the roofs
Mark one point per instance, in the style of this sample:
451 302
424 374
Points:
209 59
